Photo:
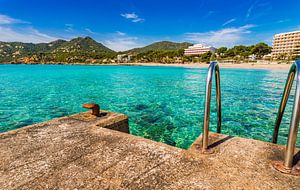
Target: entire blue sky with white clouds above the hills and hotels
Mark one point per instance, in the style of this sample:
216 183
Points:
125 24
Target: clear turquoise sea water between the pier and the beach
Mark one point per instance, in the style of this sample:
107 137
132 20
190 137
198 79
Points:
163 103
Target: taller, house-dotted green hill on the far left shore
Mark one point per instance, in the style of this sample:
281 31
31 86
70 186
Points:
78 49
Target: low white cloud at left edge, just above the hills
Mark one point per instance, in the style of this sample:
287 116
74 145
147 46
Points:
9 34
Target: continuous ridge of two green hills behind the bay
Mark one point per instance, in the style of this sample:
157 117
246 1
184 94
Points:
80 46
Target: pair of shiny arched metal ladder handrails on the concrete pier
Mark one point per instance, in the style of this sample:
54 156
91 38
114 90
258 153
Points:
287 165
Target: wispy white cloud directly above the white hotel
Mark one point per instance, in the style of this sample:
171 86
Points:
223 37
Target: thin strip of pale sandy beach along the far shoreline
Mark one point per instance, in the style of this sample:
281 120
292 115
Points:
187 65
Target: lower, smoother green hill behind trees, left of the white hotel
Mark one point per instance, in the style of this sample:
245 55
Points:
164 45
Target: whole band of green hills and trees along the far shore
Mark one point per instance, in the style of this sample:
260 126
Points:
87 50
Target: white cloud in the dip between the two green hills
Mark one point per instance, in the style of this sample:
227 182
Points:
122 42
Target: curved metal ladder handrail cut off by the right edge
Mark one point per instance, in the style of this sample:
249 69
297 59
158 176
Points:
294 124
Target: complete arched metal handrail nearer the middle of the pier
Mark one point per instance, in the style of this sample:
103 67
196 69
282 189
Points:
213 69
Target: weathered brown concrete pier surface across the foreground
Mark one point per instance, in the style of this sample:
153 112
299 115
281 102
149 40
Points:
75 153
